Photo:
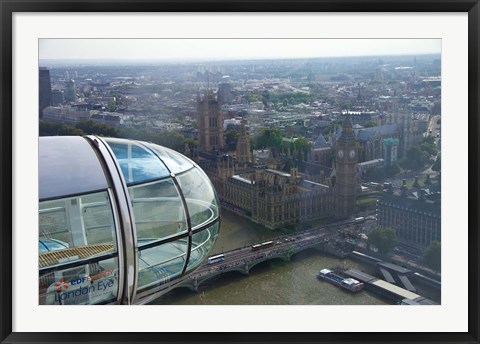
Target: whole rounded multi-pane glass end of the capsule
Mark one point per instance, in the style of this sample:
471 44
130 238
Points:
174 206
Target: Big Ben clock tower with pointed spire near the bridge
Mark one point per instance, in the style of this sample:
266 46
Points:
346 171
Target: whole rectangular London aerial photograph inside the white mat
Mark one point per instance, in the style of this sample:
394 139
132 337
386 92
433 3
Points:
239 171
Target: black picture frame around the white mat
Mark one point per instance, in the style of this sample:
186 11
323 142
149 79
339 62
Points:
8 7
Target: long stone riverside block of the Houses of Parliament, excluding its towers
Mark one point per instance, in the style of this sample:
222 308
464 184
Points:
269 197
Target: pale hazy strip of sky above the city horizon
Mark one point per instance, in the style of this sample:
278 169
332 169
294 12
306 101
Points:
201 49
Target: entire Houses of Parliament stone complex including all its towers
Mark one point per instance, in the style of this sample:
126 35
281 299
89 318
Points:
264 191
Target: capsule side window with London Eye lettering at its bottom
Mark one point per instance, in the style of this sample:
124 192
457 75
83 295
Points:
77 250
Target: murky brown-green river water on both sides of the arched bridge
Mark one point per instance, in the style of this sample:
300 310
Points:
273 282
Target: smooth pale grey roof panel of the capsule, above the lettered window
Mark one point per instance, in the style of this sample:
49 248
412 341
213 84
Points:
68 166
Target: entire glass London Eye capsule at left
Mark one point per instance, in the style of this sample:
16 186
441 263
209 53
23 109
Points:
120 221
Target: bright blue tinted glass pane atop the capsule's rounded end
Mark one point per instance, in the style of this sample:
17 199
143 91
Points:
138 164
